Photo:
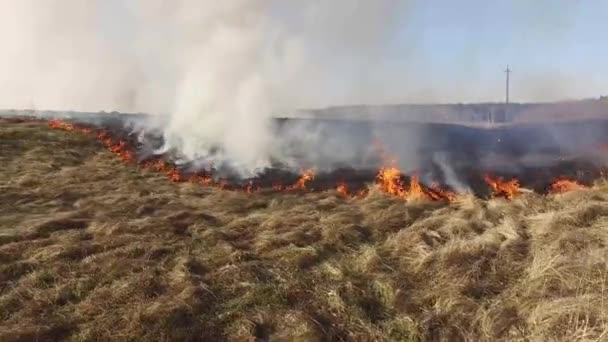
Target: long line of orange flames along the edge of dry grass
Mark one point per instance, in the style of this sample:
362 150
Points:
561 177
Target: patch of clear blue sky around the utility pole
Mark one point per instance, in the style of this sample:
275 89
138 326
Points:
470 42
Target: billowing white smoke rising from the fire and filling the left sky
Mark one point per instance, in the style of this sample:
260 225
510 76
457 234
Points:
218 69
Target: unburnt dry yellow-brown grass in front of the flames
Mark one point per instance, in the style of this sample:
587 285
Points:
92 248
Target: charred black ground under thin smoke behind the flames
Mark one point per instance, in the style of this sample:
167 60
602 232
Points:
535 154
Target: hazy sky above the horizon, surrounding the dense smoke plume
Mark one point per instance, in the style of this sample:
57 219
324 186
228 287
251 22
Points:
102 53
